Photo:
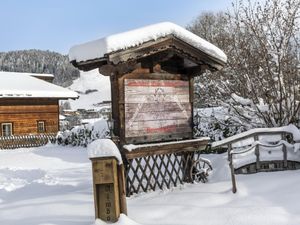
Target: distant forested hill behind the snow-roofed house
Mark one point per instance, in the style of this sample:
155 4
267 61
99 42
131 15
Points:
38 61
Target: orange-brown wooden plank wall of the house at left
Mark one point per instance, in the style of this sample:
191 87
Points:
24 114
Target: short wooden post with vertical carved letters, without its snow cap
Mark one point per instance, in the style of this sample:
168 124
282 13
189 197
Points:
108 188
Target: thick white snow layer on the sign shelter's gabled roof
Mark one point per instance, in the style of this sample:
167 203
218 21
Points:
99 48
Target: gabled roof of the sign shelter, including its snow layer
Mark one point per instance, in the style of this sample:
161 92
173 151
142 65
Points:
143 42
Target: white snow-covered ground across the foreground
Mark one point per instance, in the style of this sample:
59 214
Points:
52 186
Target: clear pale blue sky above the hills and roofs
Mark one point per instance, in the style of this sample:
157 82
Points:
56 25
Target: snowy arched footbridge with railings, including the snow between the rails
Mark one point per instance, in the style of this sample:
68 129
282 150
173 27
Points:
262 150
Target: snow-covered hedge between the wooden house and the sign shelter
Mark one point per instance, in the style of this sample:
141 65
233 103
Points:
84 134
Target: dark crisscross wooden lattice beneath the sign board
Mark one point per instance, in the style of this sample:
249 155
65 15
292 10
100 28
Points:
158 171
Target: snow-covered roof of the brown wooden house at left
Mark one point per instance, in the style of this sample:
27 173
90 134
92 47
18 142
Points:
25 85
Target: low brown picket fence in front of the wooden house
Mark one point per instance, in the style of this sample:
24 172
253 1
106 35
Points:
26 141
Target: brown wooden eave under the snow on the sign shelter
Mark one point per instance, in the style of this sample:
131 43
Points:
149 48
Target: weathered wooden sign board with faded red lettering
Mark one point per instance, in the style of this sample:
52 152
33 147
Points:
157 110
